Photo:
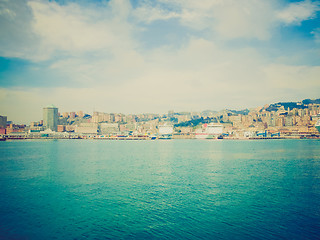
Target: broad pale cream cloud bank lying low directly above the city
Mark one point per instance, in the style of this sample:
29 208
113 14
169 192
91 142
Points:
197 77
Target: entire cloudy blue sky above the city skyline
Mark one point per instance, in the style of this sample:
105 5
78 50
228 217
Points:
151 56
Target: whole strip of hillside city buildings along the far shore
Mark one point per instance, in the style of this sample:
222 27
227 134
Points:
267 121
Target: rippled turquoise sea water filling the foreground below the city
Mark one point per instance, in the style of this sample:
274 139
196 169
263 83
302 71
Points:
178 189
